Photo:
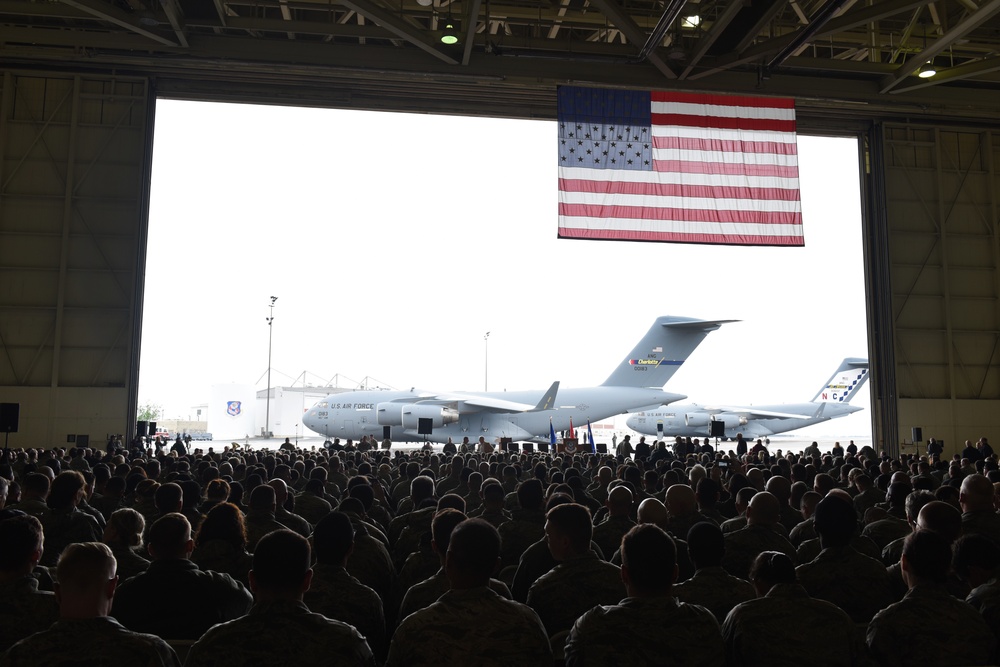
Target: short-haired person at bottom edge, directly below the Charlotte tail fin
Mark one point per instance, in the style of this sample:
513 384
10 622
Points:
685 634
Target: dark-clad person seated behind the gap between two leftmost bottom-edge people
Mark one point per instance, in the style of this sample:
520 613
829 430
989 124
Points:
174 598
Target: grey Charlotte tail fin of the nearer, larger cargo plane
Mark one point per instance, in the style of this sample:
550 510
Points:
663 349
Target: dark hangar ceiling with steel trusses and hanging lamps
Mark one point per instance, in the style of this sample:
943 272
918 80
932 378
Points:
855 56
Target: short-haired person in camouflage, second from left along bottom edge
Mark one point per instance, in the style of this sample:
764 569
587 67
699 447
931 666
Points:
280 629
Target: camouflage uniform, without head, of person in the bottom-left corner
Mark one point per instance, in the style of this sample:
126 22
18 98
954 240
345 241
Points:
102 640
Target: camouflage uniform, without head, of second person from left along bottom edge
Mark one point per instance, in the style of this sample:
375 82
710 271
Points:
281 633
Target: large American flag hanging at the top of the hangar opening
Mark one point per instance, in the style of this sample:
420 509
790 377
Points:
678 167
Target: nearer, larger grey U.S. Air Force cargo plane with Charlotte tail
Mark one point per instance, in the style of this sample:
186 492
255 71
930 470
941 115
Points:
416 416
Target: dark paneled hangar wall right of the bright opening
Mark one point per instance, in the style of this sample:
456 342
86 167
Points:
944 255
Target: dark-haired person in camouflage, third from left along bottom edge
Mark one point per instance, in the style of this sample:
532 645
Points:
471 624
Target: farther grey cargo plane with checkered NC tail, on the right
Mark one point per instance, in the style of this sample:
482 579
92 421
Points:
830 402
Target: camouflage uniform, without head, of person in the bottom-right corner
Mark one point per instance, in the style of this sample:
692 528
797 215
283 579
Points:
930 627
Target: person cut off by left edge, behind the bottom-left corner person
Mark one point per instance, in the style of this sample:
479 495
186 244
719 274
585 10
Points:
23 608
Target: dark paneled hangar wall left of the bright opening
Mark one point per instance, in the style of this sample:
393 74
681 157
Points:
74 173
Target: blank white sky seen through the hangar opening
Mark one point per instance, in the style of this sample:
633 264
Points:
394 242
